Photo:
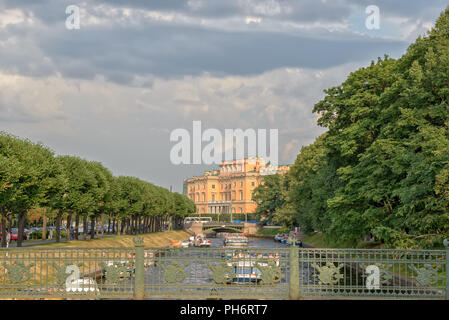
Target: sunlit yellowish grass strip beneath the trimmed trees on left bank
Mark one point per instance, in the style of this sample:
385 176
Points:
157 239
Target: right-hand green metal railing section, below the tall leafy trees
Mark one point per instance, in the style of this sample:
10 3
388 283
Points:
373 273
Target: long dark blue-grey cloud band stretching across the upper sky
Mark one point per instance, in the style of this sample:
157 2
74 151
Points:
173 51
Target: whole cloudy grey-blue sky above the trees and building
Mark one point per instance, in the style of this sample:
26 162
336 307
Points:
114 89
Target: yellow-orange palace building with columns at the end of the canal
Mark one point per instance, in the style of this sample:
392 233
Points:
229 187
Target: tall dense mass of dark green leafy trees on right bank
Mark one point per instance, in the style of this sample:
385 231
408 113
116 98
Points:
382 168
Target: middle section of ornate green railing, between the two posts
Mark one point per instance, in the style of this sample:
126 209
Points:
219 273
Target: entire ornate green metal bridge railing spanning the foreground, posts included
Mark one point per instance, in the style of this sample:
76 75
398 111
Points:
214 273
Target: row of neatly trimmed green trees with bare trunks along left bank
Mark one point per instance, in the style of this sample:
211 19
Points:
32 176
